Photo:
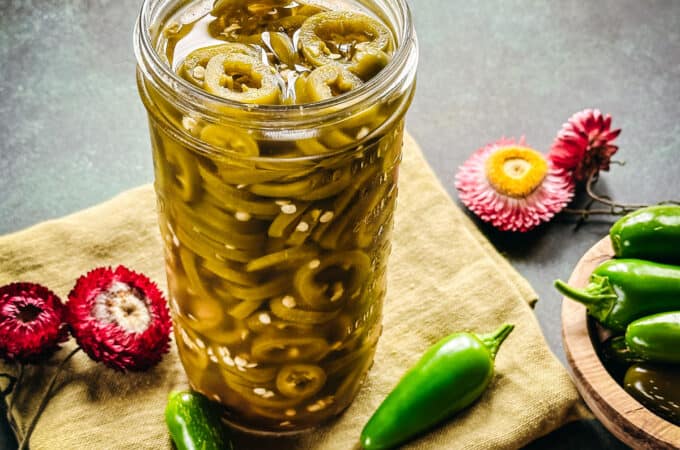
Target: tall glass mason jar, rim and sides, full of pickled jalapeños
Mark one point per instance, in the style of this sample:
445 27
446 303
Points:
276 221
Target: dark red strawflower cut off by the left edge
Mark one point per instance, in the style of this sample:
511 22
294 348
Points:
31 322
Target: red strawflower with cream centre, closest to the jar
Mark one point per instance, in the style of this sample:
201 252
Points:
119 318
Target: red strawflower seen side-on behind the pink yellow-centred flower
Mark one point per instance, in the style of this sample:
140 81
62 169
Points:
584 144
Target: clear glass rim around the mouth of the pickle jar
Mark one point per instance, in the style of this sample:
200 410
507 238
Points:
390 77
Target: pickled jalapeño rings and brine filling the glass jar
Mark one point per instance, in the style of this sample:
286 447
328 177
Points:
277 265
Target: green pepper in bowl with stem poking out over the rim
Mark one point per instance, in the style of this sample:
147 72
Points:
623 290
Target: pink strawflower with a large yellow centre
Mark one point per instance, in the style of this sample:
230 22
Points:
512 186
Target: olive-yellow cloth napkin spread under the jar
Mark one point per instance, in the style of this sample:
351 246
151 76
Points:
443 277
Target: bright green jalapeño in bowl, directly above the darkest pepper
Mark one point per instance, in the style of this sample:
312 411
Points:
653 338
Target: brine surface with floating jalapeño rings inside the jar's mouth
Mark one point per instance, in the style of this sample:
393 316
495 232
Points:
276 52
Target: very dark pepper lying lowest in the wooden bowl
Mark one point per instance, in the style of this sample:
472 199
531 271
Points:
657 388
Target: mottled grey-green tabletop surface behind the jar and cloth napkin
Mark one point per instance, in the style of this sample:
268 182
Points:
73 132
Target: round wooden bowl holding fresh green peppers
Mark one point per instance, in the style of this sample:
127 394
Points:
620 413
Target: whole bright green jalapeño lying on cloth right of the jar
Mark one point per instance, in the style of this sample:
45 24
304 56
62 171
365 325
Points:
449 377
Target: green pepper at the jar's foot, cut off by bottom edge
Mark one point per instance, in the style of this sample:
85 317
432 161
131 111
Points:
194 423
